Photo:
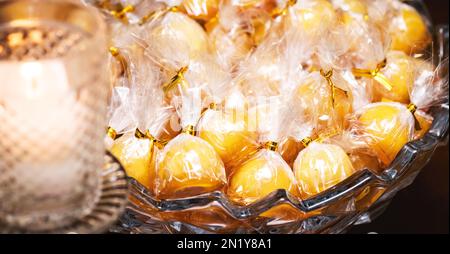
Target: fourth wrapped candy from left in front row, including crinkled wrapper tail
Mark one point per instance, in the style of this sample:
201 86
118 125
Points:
321 163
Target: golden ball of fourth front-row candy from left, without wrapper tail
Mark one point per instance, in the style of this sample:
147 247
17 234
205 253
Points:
321 166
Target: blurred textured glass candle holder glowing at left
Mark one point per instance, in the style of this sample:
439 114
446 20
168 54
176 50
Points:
53 99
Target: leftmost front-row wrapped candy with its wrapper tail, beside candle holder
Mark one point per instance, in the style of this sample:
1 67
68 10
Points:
137 148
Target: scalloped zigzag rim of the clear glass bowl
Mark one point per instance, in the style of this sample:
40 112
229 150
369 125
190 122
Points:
346 189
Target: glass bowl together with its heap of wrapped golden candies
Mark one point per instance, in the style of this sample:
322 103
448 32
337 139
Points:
271 116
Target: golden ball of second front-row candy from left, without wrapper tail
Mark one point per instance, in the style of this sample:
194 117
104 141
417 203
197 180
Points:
188 166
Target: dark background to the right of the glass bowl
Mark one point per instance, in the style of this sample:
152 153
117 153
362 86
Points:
423 206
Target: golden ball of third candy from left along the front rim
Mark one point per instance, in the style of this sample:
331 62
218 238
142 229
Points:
261 175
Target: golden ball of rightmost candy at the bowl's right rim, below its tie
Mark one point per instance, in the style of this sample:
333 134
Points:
388 129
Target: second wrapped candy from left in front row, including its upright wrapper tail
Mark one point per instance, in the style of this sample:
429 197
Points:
188 165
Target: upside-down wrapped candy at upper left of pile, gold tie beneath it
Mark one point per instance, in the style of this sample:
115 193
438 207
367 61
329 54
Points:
180 63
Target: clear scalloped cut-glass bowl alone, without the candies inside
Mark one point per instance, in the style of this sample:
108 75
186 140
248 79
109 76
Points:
358 199
